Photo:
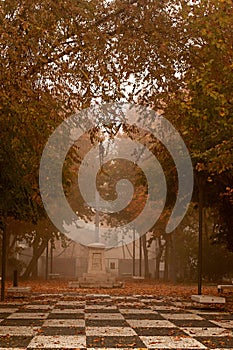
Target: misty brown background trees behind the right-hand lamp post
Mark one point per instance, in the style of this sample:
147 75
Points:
179 252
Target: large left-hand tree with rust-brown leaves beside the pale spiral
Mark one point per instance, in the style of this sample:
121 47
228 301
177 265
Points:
52 62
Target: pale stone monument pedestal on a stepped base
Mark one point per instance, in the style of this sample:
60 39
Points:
96 275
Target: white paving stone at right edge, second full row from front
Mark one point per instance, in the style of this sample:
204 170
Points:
207 332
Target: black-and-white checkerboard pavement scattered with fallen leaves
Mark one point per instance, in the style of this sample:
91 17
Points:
111 322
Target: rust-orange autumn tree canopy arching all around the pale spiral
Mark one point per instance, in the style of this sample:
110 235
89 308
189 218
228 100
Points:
59 57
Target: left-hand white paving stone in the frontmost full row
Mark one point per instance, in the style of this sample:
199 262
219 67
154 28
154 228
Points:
58 342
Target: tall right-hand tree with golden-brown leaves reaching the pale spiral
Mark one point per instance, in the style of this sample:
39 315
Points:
201 104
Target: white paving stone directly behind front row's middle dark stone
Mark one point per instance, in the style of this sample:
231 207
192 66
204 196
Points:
110 331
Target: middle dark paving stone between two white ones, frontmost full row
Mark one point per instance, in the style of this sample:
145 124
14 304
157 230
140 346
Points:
115 342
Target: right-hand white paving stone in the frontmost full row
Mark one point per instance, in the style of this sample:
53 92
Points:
164 342
